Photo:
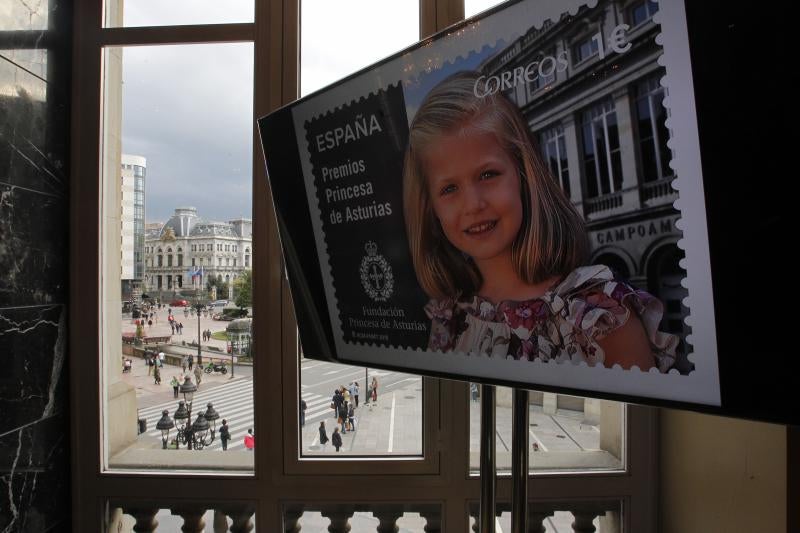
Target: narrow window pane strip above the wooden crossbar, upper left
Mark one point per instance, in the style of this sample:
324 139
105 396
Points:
176 12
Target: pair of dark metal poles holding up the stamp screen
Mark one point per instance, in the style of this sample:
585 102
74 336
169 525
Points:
519 461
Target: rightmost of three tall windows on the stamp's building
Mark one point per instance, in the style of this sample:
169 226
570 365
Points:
651 117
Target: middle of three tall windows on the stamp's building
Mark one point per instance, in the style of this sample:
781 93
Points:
602 161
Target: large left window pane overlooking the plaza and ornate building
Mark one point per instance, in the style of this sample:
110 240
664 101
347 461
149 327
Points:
178 125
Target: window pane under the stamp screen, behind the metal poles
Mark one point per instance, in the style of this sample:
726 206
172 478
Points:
566 433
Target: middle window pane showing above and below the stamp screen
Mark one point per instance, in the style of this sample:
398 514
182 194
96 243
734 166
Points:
393 425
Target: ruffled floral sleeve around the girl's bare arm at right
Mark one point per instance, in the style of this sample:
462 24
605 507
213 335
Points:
596 304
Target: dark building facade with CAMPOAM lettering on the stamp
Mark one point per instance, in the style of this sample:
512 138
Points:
600 123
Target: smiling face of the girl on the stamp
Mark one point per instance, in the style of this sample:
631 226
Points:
474 188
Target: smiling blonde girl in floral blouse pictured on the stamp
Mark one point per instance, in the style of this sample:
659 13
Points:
501 251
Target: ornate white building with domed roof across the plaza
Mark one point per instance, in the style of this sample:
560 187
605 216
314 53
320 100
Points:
186 251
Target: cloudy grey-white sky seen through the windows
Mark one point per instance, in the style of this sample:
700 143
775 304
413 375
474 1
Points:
188 109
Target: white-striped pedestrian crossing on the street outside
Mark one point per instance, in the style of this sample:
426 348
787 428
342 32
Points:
234 403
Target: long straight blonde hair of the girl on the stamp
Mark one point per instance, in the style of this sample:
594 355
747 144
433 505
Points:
552 240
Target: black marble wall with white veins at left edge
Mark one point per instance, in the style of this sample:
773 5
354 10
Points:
35 47
